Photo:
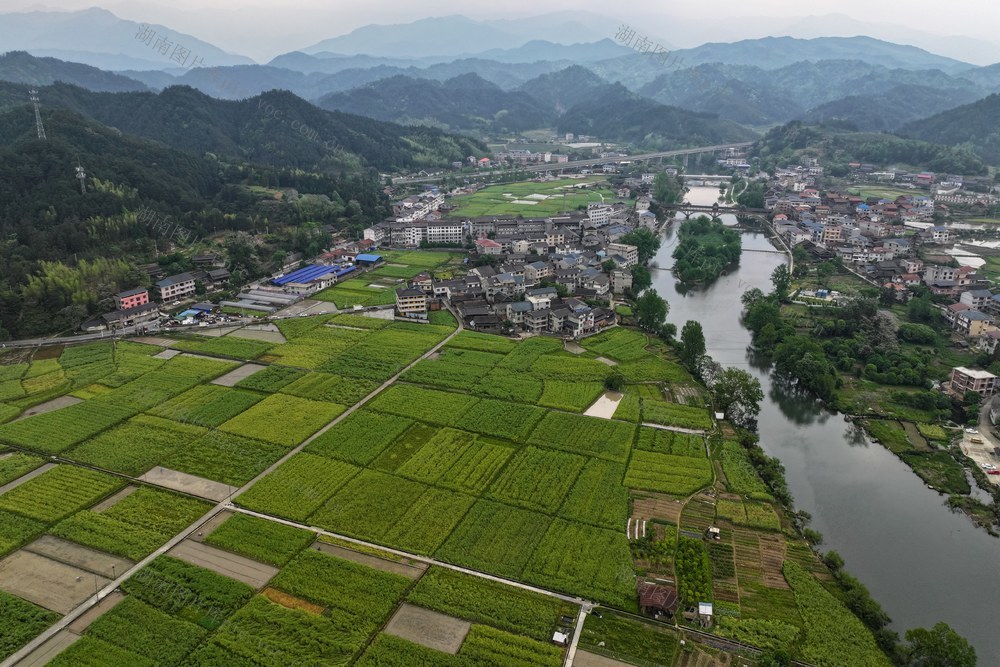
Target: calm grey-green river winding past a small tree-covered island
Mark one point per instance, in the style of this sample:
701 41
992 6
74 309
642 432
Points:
921 561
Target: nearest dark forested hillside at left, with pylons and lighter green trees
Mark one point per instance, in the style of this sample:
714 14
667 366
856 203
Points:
44 217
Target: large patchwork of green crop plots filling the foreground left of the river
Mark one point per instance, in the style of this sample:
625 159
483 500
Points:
479 457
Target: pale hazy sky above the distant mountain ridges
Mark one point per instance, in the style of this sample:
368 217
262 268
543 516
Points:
262 30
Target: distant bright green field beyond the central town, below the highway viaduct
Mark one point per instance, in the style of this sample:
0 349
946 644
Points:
532 199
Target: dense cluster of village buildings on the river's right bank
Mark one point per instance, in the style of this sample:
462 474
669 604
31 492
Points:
867 236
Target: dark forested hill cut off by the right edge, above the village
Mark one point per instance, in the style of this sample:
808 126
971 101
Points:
975 125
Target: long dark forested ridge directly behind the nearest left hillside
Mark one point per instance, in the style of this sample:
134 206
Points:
275 128
